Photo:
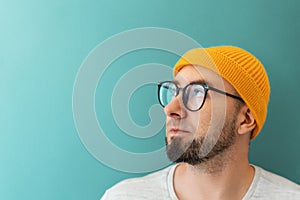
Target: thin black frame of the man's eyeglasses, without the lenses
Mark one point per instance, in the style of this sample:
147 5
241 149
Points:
184 99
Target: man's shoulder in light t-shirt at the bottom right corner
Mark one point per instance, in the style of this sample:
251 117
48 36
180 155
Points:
273 185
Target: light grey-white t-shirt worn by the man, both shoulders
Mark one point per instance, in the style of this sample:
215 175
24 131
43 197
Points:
159 185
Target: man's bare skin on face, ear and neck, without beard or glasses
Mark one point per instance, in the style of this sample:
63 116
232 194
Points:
228 174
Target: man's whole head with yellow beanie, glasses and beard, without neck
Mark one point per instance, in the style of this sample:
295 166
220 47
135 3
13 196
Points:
226 74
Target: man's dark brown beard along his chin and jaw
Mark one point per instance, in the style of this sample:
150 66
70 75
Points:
201 149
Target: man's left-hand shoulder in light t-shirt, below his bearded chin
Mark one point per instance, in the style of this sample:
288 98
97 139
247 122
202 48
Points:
142 187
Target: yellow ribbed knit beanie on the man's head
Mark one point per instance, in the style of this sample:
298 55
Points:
241 69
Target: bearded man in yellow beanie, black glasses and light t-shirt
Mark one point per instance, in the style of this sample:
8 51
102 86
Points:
215 105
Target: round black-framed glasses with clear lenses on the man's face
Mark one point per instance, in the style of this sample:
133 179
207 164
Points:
193 94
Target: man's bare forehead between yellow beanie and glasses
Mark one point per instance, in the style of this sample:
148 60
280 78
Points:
191 73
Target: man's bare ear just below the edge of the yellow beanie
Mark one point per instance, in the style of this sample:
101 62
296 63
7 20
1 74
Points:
246 121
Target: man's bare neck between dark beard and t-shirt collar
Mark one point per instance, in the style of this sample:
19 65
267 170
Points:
223 177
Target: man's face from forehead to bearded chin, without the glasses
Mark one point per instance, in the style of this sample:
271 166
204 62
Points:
195 137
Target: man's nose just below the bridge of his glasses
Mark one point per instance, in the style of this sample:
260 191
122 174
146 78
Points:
175 109
